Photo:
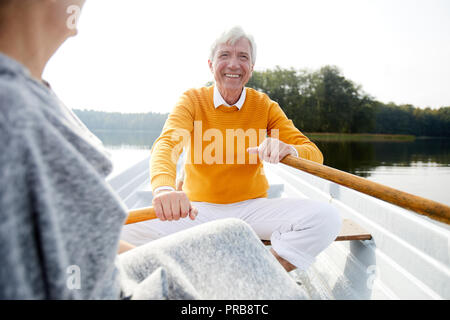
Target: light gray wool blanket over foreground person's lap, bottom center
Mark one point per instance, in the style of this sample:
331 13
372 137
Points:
221 260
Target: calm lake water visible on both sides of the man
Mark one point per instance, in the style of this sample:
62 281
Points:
420 167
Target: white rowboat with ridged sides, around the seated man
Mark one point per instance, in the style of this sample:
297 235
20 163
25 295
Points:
407 256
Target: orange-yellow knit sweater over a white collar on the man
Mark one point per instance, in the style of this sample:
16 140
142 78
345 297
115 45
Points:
218 169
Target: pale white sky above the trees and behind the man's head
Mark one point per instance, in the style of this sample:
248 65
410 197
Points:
141 55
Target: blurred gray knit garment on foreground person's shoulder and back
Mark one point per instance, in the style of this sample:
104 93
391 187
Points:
59 220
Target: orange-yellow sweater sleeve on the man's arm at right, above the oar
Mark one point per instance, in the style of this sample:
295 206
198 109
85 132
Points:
289 134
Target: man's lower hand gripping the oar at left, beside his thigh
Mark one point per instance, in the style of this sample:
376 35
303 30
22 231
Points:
173 205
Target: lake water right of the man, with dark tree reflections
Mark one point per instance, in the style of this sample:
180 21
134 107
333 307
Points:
420 167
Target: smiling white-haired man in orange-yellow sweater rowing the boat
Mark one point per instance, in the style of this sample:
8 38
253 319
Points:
226 179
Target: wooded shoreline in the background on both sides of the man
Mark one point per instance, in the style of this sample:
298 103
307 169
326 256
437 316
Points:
316 101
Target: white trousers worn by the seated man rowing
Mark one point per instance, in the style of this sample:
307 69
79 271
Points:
299 229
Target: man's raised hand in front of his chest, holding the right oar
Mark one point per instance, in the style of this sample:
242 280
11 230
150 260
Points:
273 150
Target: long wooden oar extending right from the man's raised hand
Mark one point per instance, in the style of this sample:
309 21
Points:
430 208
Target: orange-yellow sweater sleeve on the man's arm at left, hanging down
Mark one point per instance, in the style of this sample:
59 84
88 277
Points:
168 147
